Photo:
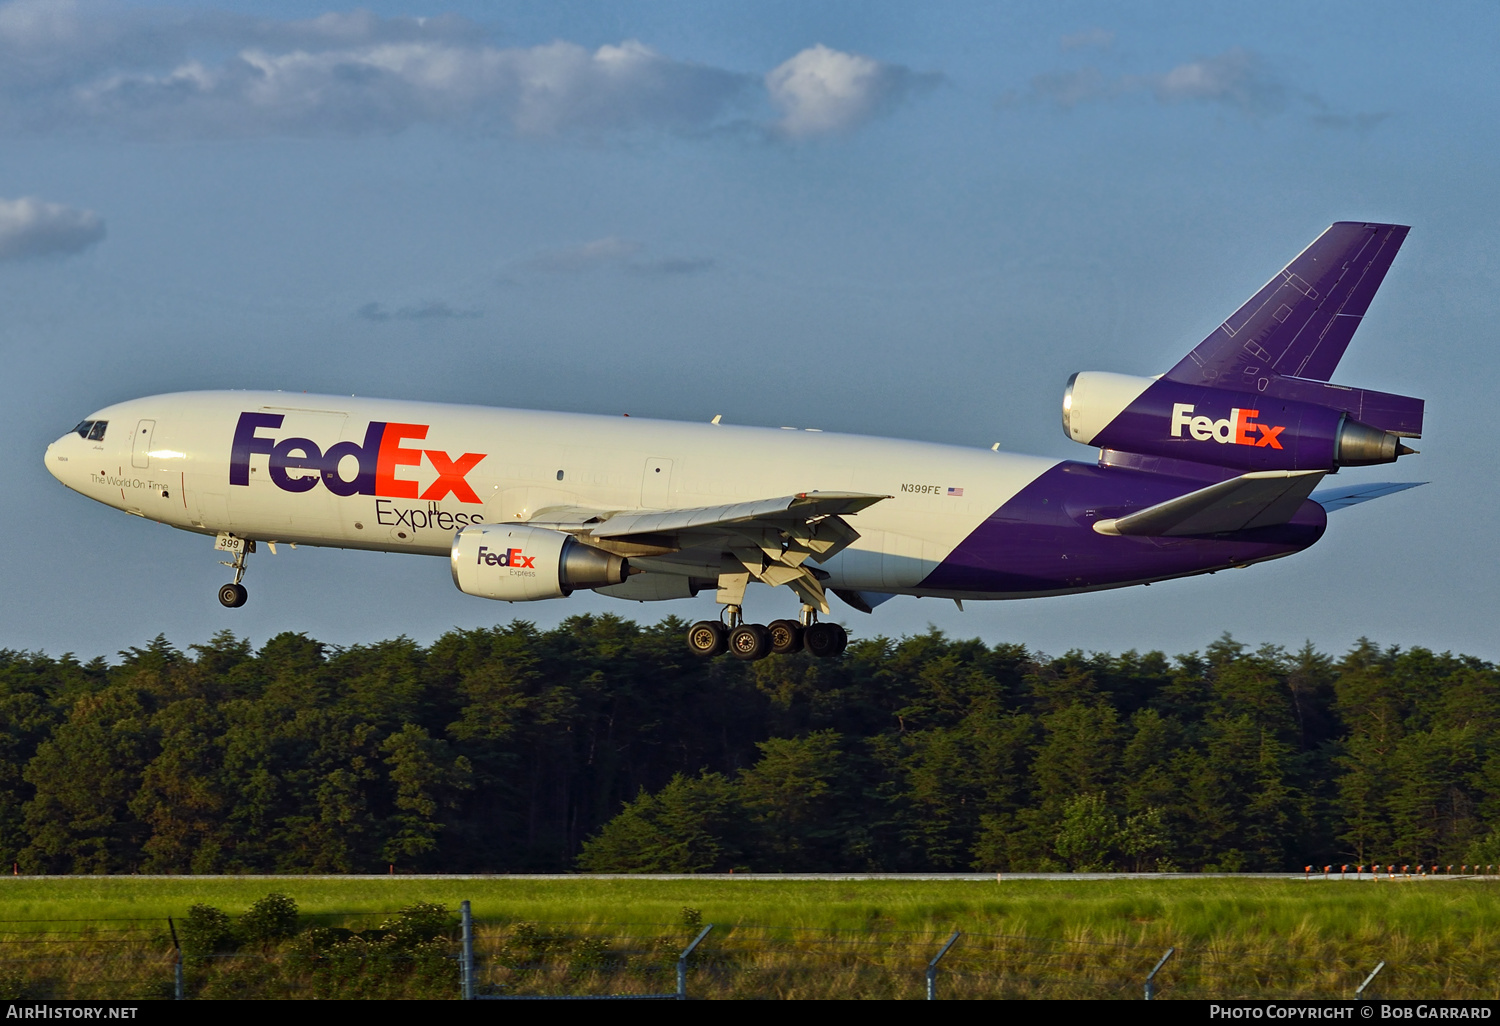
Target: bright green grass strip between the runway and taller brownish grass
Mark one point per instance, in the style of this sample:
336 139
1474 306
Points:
1433 913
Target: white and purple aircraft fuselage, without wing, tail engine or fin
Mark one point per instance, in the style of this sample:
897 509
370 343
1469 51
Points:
400 476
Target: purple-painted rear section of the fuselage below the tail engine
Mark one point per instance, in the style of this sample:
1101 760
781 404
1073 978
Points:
1043 541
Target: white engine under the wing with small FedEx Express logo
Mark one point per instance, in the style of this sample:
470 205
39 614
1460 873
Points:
524 563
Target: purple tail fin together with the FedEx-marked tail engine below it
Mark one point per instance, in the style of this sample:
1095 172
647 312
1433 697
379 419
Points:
1256 395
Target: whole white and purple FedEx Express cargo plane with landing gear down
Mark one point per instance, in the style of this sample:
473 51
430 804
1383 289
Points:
1207 467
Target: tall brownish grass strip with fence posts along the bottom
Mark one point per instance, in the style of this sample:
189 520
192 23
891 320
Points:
370 956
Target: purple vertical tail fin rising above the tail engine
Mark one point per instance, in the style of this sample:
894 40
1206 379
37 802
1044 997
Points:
1303 320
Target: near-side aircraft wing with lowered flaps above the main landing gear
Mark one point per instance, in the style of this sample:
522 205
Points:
766 539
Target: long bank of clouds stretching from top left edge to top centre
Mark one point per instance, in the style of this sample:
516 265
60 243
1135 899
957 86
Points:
169 74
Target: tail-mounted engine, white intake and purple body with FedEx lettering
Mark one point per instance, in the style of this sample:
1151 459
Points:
1219 427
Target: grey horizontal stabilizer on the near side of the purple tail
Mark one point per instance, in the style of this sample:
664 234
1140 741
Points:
1262 499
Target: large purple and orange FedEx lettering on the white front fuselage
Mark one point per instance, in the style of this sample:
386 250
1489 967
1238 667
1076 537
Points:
299 464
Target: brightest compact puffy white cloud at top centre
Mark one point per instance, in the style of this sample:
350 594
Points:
823 91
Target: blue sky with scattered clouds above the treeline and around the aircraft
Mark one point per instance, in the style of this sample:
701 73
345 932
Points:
859 217
